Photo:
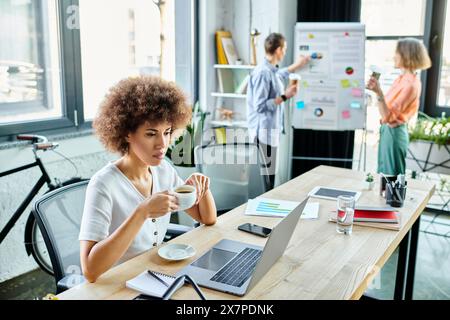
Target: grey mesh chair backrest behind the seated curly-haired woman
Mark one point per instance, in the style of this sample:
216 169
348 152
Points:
59 214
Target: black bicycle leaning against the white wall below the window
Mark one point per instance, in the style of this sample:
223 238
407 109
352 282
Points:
34 243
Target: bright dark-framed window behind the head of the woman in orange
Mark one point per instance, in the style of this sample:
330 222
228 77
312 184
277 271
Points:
427 20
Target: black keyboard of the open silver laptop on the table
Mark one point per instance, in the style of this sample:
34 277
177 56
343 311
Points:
238 270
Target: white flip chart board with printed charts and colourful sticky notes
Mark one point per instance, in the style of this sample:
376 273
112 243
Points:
331 94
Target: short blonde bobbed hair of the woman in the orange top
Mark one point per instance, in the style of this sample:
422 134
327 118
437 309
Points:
413 54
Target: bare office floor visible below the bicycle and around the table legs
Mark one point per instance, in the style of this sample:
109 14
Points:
432 277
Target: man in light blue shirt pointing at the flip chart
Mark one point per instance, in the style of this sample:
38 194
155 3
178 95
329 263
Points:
265 99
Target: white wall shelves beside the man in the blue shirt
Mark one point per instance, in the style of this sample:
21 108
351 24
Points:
229 94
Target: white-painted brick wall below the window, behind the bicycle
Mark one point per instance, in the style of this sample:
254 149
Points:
89 158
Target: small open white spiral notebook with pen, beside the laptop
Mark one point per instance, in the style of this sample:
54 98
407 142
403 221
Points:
150 285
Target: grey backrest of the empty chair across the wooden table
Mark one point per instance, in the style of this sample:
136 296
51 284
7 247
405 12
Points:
235 171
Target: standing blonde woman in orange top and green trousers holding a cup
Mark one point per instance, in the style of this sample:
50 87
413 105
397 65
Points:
399 105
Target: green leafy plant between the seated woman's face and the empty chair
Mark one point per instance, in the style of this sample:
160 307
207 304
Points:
181 152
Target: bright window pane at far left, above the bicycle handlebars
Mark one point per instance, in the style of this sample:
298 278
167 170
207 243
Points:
30 71
